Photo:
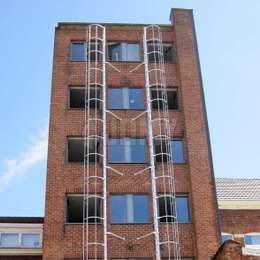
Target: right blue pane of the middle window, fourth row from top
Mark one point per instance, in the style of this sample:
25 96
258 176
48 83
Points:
141 209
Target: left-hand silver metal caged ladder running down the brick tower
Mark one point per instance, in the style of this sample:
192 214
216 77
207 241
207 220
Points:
95 235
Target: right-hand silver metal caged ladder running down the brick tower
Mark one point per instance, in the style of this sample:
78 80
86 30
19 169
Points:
163 180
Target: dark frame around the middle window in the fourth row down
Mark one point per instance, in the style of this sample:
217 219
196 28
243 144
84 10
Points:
132 194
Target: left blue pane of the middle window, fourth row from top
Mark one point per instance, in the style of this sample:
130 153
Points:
118 209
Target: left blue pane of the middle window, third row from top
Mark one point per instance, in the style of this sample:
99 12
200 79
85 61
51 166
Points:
116 150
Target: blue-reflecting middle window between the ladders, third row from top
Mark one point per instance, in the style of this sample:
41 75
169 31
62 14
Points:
127 150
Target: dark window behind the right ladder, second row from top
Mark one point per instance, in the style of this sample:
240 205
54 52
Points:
157 95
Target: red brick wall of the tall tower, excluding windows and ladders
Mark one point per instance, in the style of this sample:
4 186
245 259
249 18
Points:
200 237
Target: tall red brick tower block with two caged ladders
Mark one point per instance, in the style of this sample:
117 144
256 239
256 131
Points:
115 175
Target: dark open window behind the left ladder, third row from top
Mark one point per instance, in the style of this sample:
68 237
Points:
76 149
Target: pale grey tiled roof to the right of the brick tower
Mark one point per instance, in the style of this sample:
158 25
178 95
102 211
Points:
238 189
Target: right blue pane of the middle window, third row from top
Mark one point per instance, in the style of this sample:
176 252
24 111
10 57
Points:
138 150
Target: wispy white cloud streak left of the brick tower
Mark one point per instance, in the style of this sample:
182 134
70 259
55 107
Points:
35 152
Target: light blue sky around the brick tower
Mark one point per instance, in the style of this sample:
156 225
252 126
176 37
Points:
228 33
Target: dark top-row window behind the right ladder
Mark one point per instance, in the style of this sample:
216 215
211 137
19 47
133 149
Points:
168 51
